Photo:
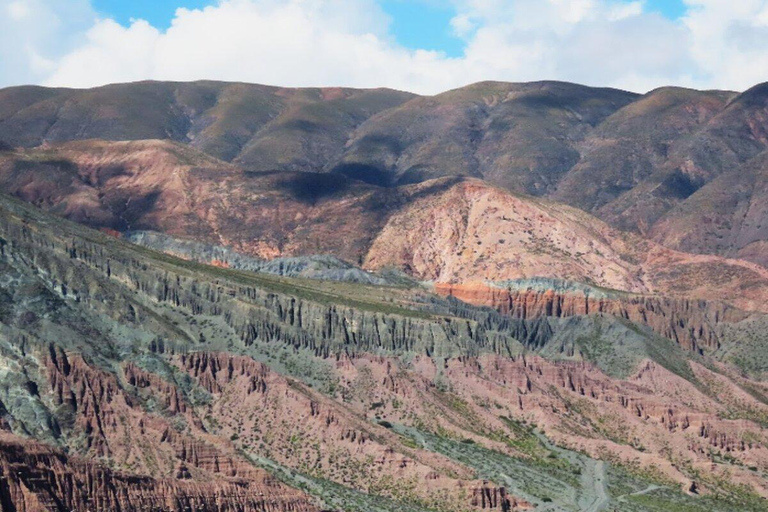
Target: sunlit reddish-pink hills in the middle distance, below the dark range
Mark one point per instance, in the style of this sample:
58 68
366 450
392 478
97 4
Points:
447 230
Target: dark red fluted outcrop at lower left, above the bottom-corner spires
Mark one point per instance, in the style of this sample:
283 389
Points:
107 413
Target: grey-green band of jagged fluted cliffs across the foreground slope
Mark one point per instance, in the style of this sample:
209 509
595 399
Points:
296 314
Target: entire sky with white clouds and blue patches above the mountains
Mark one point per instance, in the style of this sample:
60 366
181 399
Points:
424 46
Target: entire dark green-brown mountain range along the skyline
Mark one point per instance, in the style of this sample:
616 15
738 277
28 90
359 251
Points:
637 162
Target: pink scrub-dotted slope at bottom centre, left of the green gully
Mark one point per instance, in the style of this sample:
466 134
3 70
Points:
252 403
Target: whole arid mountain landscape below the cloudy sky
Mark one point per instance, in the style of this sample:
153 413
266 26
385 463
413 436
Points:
234 297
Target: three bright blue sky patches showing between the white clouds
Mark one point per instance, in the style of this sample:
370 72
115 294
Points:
416 24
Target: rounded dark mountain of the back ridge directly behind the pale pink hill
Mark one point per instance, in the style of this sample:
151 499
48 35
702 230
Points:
519 136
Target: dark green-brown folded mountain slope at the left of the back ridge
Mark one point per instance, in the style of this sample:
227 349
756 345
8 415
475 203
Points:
276 126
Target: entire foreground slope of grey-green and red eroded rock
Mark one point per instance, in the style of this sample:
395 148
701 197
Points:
132 360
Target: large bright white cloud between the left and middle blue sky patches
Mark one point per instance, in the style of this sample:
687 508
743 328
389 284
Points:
291 43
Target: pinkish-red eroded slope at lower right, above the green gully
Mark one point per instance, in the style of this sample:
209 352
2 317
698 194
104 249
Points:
653 418
